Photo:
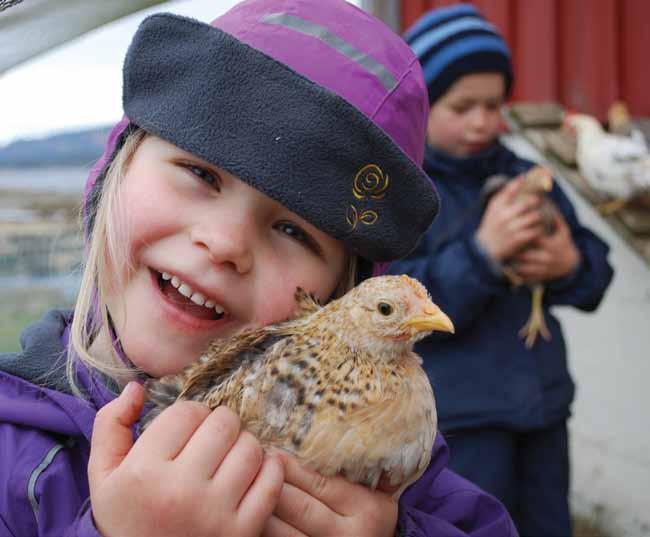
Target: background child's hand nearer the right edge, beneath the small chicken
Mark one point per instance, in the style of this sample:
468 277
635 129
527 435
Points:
550 257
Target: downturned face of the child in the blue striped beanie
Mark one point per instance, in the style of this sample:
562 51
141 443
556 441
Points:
467 117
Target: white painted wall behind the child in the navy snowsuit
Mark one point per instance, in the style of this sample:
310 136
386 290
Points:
609 357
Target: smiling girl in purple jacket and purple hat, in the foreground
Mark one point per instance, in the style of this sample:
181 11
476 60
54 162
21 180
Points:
277 147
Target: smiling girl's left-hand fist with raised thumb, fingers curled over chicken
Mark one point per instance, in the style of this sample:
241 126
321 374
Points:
191 472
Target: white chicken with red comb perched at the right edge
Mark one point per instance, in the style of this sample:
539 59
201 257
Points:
615 166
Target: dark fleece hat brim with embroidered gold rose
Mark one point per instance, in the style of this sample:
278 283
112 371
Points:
299 143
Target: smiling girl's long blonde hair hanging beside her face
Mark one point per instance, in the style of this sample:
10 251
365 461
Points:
103 275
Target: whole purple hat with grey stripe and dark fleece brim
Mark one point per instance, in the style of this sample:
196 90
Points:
315 103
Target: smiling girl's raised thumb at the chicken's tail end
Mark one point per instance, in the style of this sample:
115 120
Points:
112 438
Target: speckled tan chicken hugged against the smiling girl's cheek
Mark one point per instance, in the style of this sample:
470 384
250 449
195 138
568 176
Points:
338 386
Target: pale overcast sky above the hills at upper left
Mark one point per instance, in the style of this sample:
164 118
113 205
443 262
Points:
79 84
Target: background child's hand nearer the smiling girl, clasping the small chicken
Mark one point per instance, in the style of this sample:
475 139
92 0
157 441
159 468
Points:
509 222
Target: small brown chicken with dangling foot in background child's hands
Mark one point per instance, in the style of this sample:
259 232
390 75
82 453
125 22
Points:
538 180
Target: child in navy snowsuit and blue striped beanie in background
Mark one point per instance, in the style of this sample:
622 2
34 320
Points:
503 408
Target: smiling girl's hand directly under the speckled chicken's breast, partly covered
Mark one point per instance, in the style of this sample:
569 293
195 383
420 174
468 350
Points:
315 506
